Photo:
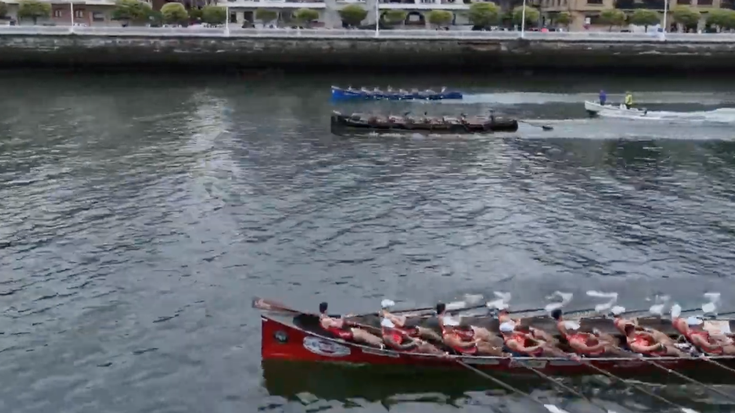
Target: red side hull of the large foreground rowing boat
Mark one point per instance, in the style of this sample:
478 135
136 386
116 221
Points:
282 340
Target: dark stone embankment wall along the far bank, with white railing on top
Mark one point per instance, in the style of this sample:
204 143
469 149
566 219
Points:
339 49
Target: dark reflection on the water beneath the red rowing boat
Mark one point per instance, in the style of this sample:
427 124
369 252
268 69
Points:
342 383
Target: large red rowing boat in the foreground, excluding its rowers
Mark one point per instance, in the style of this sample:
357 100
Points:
295 336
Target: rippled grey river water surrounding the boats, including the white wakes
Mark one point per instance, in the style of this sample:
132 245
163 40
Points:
140 215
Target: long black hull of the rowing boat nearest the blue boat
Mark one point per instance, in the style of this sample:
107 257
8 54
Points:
342 123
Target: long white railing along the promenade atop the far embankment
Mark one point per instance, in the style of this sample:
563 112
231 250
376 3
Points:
364 34
